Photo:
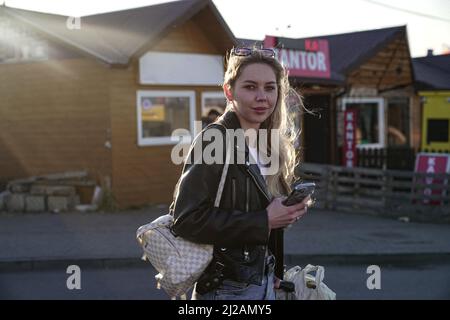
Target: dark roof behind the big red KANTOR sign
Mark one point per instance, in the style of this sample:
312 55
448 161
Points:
347 50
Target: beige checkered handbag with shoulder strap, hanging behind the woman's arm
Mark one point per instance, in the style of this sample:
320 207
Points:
178 261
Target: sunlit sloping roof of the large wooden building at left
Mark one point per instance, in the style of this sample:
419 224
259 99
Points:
114 37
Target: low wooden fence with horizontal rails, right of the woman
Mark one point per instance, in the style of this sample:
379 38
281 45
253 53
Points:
419 196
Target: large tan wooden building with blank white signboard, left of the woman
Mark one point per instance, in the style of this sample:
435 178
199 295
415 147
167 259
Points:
105 92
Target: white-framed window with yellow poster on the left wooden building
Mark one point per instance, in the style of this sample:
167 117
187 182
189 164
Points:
161 112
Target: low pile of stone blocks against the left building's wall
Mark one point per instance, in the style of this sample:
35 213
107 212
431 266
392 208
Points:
47 193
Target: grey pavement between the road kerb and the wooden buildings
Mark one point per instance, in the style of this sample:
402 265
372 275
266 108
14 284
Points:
42 240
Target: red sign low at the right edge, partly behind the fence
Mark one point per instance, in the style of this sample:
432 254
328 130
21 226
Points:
433 163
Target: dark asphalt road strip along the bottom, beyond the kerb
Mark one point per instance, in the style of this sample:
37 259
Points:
425 281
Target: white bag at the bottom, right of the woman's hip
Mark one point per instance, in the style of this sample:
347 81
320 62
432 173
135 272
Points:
308 286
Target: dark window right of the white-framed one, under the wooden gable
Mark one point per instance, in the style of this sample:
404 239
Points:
398 122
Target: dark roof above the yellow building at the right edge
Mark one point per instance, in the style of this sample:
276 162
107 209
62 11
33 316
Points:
432 72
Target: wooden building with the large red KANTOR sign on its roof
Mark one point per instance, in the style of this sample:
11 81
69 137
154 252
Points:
371 72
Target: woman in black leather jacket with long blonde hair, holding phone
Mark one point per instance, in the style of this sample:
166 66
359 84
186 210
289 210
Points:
247 228
